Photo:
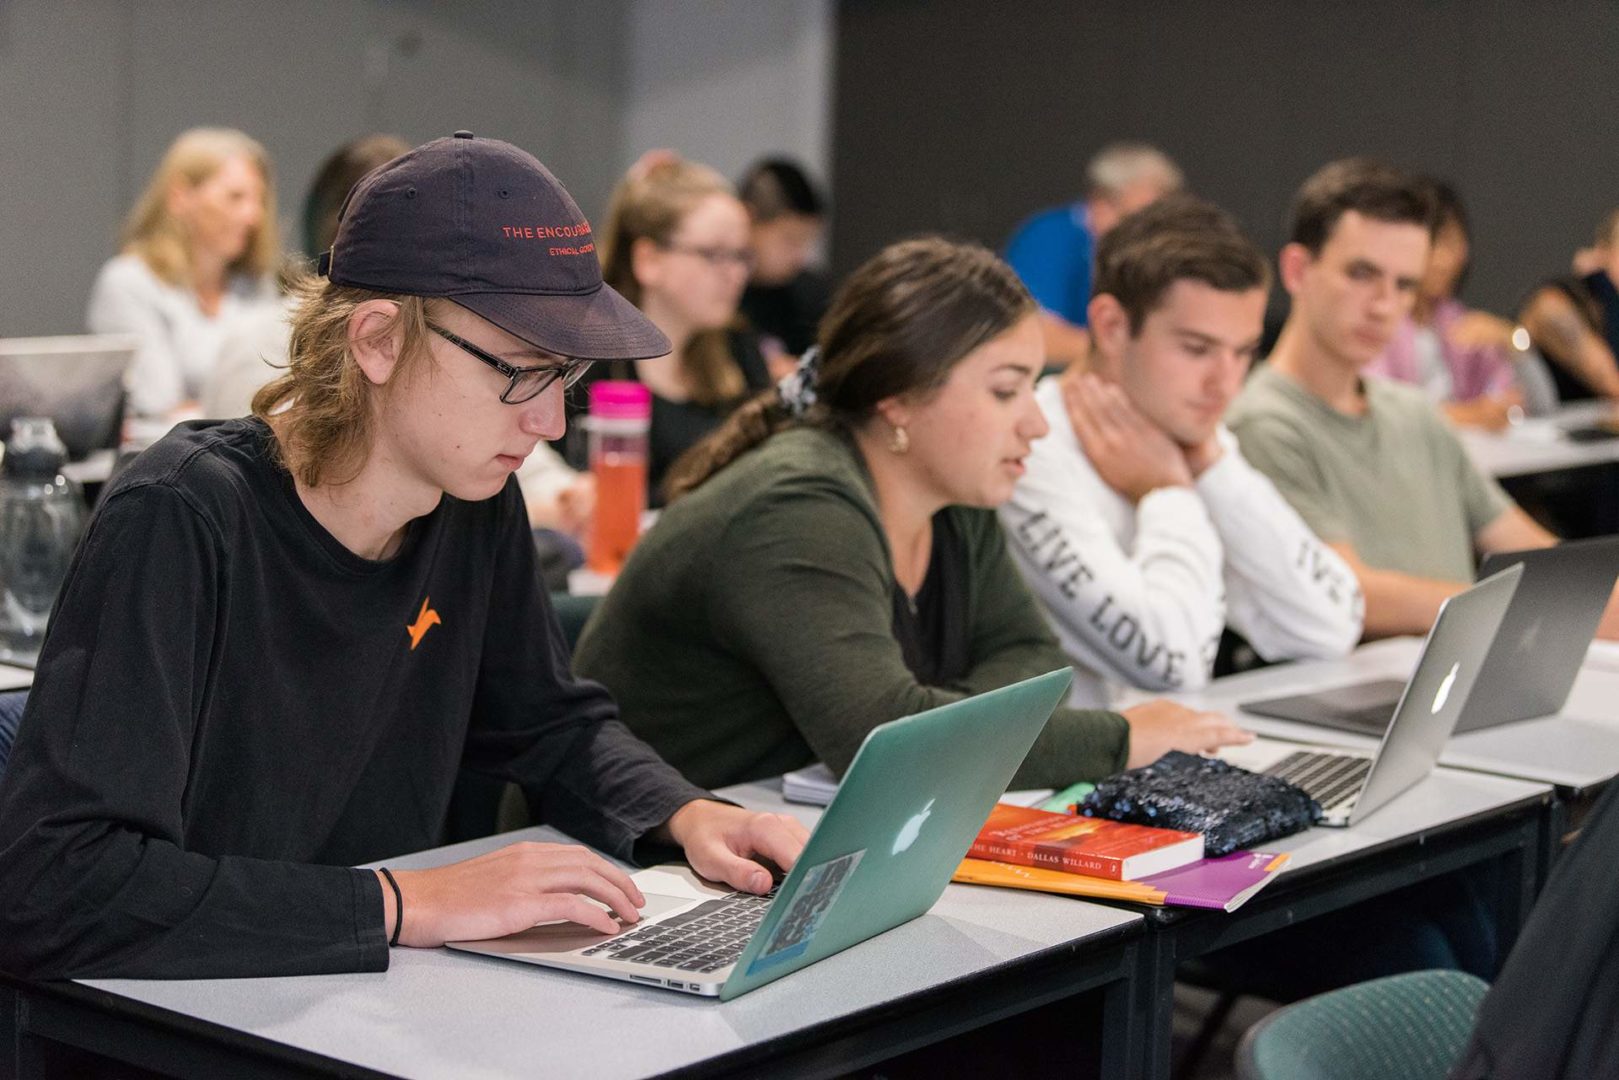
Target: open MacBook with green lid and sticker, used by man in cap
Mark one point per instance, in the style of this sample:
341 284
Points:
903 820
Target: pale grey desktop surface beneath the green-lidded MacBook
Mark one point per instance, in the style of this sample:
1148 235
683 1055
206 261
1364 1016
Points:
443 1014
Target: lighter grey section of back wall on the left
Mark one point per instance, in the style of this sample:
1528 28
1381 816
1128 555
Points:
93 91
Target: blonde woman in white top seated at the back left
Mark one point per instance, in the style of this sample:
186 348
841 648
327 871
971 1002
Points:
198 257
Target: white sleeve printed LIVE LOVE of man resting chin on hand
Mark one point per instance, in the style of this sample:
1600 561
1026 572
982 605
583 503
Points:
1134 593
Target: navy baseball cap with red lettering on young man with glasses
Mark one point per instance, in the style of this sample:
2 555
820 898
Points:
487 226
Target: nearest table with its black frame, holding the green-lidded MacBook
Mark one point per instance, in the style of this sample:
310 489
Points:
977 958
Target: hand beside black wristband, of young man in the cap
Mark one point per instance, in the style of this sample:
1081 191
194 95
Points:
511 890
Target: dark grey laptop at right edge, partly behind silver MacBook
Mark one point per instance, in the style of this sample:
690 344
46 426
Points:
1532 665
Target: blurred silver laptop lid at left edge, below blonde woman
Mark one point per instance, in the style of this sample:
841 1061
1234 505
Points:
75 381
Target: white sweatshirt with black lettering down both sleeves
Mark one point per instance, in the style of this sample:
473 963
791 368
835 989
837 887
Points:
1139 595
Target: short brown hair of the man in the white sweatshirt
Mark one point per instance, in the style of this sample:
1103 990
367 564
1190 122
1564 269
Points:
1176 239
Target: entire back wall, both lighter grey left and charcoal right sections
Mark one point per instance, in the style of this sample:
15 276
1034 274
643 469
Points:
951 116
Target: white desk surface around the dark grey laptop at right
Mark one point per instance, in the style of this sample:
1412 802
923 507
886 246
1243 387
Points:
1576 749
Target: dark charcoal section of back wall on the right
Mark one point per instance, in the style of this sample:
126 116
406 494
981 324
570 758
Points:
964 117
